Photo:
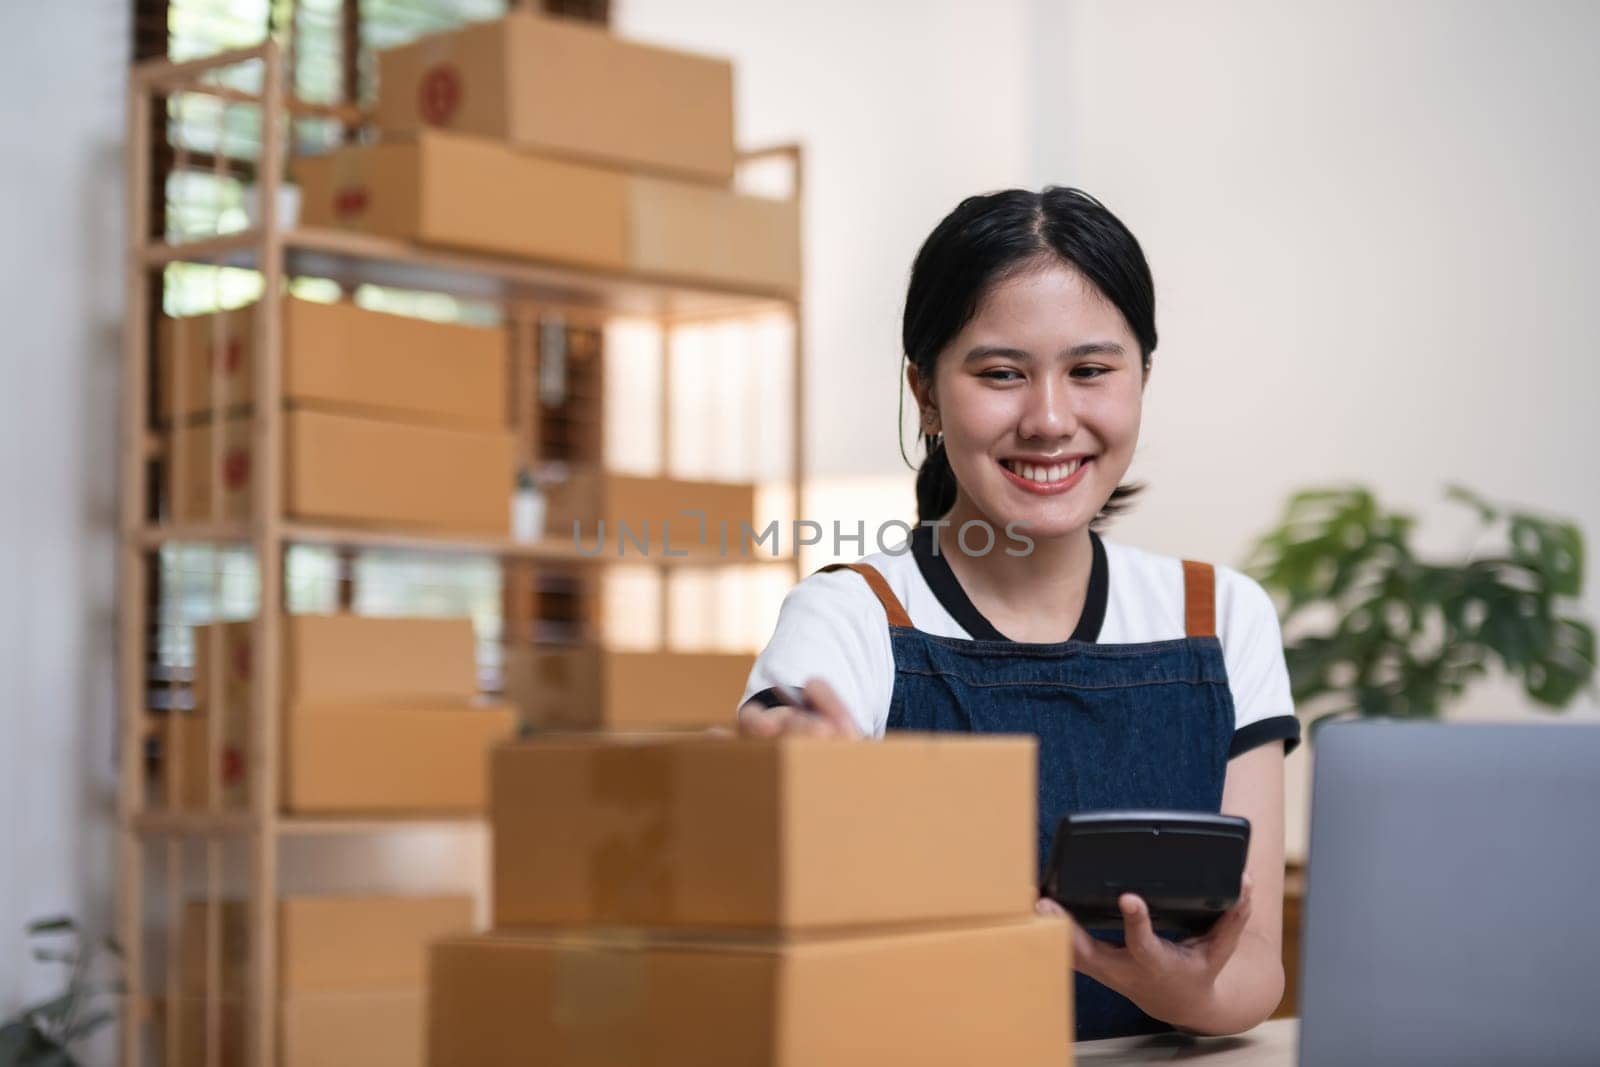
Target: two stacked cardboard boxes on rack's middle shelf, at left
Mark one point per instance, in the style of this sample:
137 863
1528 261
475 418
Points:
390 420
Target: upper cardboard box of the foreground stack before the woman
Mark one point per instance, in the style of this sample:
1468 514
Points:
799 833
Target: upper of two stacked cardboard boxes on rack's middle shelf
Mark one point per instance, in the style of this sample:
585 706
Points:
346 359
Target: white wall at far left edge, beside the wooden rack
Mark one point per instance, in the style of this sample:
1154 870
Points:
62 129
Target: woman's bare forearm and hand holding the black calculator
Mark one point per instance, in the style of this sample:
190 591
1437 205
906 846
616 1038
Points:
1231 978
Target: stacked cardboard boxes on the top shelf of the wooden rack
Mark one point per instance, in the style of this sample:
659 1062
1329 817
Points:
553 140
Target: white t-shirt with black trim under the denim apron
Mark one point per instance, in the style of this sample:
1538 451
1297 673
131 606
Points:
833 626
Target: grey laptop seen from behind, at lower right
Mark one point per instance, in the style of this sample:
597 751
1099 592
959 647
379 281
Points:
1454 895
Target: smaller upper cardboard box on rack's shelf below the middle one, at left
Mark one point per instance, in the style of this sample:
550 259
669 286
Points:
348 658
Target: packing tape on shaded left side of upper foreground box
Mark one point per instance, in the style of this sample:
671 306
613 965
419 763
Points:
634 793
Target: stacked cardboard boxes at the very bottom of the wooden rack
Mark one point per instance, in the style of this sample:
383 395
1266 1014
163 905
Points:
351 978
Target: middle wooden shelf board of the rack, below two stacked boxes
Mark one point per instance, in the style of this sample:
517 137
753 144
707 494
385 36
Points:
548 549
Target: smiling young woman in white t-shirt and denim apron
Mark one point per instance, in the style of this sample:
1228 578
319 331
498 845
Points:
1150 682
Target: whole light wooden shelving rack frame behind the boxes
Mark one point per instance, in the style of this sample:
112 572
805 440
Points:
530 294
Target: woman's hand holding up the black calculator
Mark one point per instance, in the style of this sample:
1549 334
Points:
1170 981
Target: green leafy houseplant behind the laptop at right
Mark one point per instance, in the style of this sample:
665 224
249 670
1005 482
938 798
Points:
1374 629
